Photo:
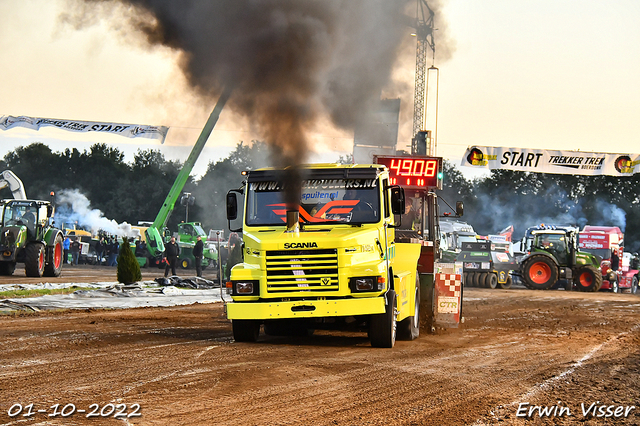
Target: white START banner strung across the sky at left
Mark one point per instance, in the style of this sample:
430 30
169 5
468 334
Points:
128 130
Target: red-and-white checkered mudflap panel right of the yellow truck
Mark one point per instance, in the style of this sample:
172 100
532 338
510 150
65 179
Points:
447 295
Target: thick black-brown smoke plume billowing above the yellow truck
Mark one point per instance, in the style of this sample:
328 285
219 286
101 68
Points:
288 61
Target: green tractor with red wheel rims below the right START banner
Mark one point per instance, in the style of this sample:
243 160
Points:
553 256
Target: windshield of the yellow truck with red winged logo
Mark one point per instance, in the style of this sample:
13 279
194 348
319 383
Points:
322 201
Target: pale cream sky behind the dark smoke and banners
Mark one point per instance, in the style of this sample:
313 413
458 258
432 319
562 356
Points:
547 74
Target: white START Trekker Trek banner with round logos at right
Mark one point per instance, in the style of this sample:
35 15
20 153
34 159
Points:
548 161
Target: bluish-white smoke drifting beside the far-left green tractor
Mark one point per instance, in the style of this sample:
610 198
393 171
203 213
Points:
74 207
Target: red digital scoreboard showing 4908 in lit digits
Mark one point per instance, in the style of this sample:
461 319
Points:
413 172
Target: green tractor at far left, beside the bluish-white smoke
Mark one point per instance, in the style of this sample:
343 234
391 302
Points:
28 236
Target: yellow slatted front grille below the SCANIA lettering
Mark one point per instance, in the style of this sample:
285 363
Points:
291 271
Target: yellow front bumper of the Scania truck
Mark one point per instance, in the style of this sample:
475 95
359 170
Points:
305 308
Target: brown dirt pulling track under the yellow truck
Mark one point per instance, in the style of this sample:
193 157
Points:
183 367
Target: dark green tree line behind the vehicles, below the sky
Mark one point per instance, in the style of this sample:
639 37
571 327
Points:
135 191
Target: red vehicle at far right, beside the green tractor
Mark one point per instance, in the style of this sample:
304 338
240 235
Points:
607 242
